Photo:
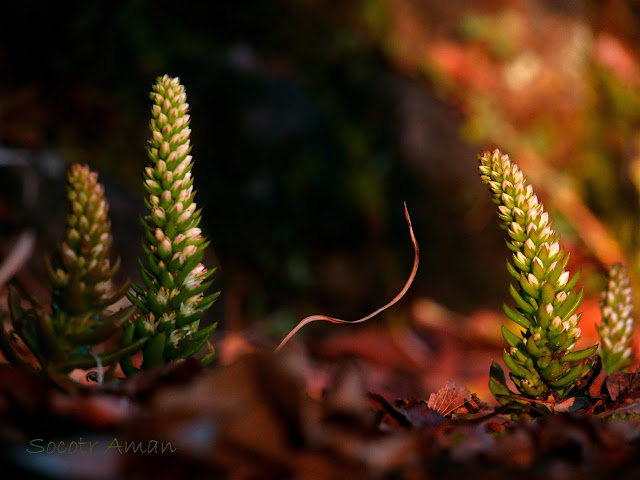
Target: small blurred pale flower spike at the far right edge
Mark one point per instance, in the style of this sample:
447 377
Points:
617 320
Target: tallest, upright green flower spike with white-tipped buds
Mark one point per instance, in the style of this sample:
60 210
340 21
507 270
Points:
175 280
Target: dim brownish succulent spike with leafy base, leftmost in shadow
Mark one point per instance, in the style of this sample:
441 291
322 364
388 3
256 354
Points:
81 277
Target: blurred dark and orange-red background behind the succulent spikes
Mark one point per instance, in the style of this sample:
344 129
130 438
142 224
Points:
312 122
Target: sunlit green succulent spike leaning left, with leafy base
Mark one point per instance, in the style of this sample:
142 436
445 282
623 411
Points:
541 357
